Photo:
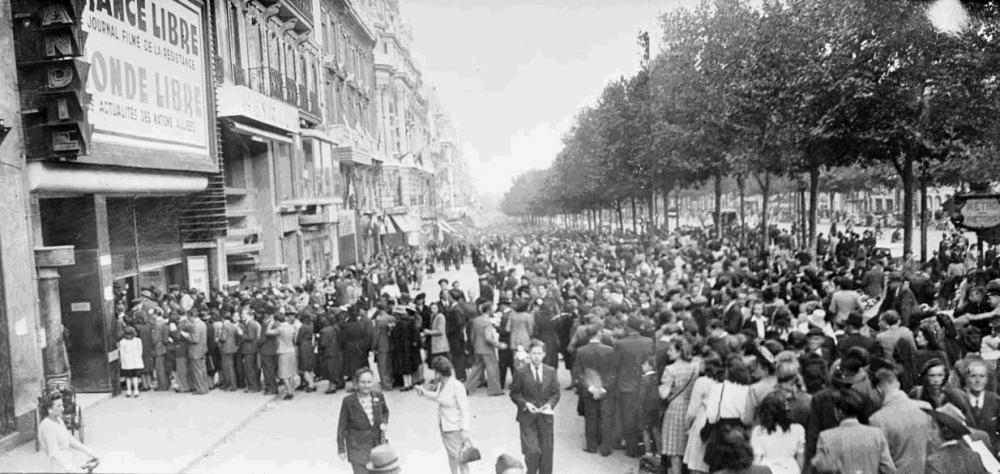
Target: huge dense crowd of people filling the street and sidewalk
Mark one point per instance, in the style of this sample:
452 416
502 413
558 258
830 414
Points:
688 351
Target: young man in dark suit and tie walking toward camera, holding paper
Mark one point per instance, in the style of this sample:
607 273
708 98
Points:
535 391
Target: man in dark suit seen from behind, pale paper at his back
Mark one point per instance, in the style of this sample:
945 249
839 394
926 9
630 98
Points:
594 373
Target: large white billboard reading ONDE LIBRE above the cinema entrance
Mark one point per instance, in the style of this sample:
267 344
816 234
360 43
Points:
147 76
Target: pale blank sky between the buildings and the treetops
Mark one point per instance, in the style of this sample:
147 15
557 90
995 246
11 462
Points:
513 74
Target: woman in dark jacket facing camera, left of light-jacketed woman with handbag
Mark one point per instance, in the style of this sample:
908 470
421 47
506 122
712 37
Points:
364 417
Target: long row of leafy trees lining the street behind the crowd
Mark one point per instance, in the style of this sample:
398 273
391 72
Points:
816 92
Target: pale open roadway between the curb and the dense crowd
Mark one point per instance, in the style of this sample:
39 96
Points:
300 435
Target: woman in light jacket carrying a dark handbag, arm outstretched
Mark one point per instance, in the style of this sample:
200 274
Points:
454 415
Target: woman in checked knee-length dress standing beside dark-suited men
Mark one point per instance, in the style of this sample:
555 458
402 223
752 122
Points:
676 385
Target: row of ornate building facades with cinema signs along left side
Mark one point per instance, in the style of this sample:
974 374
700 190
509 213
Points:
239 143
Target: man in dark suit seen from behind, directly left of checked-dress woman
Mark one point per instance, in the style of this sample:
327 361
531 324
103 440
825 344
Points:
630 351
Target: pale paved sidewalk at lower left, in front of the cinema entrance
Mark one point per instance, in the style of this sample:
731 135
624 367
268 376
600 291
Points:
157 433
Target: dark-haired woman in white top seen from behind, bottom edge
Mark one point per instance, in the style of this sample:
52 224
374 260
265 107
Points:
777 442
